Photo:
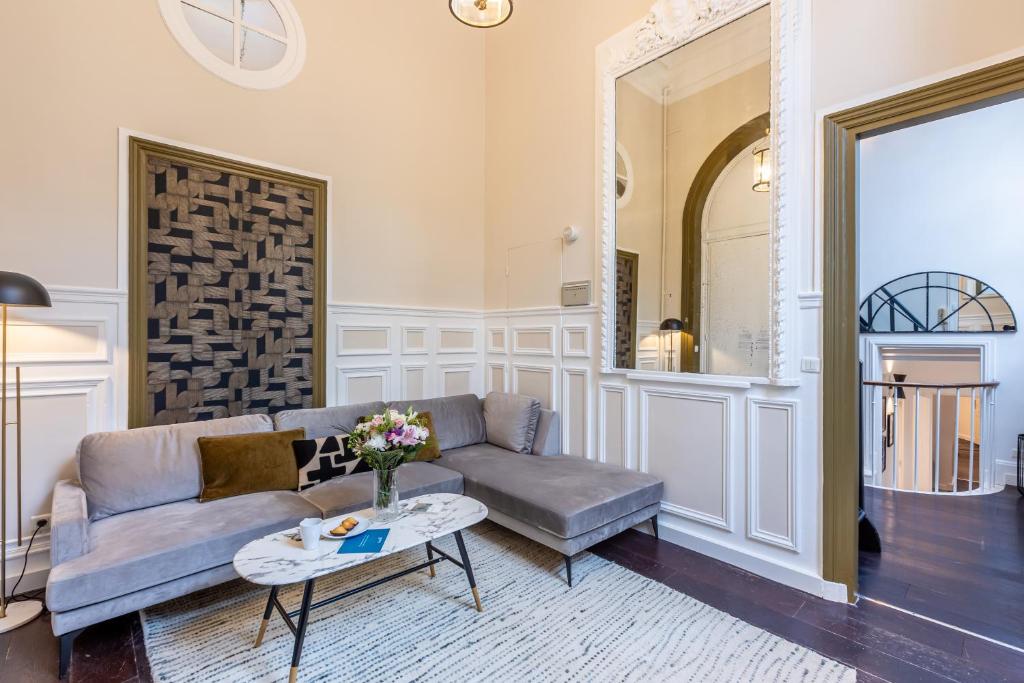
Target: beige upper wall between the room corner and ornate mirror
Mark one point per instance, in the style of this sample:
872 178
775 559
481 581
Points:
541 80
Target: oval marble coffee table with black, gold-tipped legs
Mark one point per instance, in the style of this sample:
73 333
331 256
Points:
279 560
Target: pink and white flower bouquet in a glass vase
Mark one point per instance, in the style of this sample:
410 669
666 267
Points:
385 442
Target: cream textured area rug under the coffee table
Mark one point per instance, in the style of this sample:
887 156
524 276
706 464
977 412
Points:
613 626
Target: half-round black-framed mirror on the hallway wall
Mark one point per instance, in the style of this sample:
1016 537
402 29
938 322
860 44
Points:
936 303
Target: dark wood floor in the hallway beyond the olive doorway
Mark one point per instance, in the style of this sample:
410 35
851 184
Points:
957 560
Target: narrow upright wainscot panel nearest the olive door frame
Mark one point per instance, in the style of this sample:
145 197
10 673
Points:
772 472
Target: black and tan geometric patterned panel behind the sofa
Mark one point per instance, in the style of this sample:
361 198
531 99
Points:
231 285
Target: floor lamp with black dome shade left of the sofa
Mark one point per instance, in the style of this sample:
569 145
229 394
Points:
16 290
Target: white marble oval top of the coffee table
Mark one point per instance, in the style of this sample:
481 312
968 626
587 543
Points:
278 561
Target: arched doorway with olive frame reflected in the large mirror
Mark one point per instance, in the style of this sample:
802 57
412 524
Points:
726 236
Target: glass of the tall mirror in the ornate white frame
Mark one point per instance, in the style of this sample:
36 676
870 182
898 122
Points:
693 245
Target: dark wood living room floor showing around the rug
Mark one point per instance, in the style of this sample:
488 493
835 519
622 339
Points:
883 645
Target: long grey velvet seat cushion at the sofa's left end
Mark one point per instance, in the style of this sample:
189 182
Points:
138 550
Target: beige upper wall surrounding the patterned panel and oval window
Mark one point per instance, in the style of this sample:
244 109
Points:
391 104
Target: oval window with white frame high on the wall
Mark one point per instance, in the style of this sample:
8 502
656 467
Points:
253 44
